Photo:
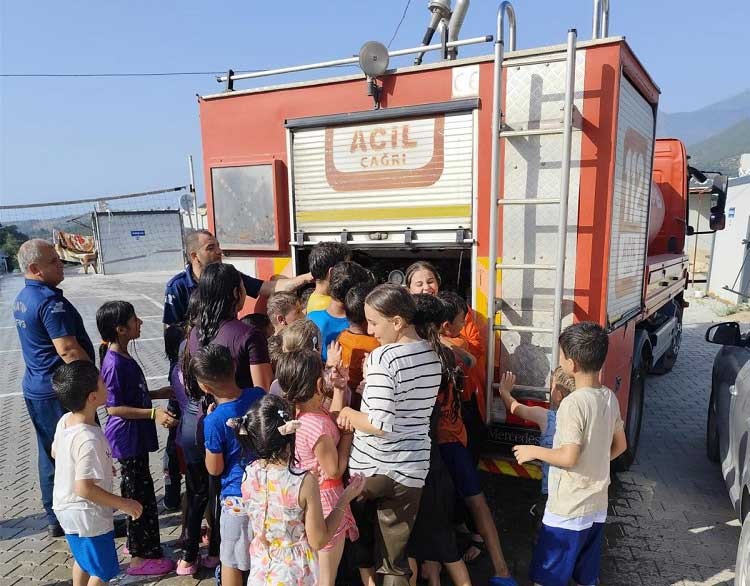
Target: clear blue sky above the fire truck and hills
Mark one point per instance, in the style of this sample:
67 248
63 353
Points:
73 137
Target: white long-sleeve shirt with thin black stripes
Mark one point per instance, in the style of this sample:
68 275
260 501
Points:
400 391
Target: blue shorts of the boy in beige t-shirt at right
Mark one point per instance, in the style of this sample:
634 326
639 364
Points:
564 554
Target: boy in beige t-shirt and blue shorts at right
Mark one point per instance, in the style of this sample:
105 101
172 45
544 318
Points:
588 435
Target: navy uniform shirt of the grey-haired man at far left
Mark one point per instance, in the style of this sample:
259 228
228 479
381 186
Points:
42 314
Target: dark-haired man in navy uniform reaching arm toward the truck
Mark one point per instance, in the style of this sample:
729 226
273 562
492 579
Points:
203 249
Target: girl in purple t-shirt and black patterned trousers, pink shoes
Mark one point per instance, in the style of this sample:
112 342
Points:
131 431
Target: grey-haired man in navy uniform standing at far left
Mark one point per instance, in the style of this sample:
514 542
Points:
51 332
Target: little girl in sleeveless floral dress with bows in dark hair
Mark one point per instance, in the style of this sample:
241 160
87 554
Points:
284 504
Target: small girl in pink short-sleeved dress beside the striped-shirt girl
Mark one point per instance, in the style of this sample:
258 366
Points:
320 447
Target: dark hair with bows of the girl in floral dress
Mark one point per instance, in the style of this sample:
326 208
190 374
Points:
258 431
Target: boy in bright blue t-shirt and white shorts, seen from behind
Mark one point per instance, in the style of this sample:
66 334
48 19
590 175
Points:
214 369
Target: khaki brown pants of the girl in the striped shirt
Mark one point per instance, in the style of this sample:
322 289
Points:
397 507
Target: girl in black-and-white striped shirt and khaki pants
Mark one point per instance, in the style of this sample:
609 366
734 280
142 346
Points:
391 445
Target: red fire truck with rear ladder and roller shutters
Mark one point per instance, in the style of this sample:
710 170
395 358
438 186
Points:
524 175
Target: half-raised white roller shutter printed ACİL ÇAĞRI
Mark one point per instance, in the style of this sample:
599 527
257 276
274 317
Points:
384 176
